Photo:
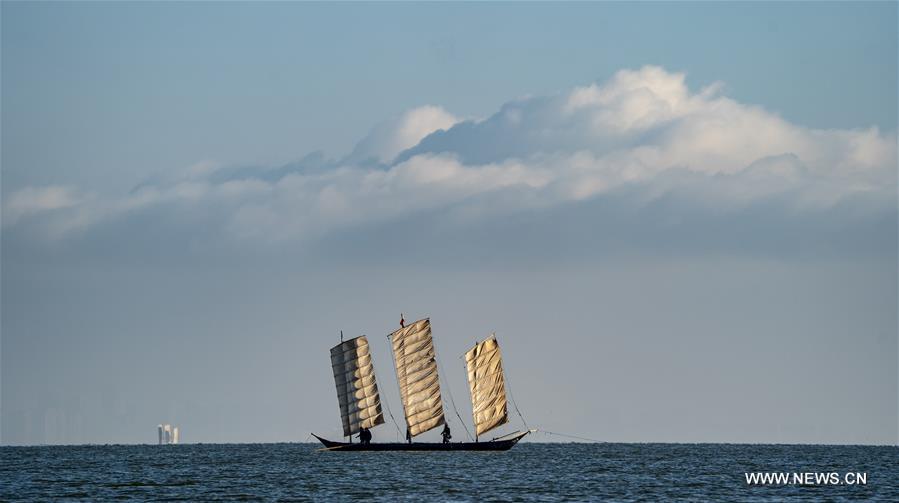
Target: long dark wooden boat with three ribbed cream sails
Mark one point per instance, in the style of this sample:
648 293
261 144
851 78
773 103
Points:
416 371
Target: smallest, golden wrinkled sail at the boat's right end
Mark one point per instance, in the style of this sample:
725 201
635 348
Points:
488 386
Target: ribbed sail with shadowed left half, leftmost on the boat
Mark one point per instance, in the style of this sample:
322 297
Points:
357 391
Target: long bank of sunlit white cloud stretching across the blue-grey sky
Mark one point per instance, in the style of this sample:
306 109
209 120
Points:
643 128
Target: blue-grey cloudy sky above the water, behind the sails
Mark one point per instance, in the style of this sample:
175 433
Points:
680 219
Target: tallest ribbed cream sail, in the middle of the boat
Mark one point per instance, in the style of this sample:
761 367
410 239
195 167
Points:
416 371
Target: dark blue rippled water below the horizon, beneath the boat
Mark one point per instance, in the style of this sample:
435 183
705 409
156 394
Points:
529 472
